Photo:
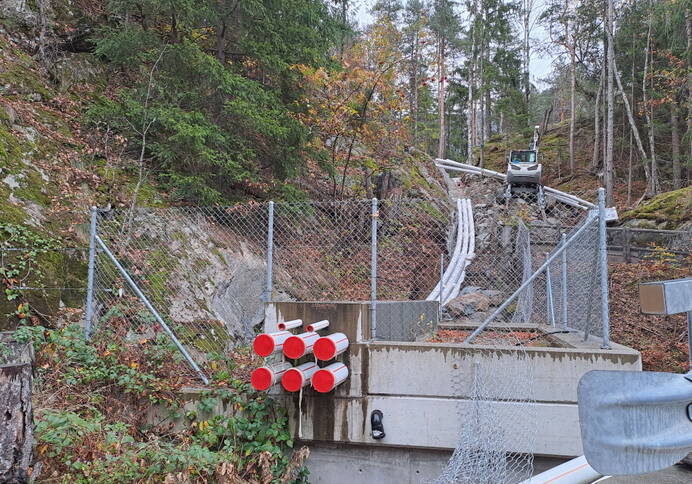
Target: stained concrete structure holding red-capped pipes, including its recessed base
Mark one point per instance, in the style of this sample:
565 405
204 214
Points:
411 383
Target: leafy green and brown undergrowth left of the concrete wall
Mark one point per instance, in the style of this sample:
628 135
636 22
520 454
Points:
111 410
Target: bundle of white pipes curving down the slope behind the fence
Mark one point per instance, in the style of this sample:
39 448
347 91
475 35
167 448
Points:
454 274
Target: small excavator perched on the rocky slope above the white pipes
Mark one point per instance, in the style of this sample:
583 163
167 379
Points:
524 171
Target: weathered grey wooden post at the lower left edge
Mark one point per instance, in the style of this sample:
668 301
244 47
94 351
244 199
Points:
15 408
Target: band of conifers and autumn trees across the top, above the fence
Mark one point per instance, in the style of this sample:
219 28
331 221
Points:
221 100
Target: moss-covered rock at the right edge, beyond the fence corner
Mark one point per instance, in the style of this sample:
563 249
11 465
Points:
667 211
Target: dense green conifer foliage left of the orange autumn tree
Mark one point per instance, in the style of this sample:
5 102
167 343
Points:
212 124
